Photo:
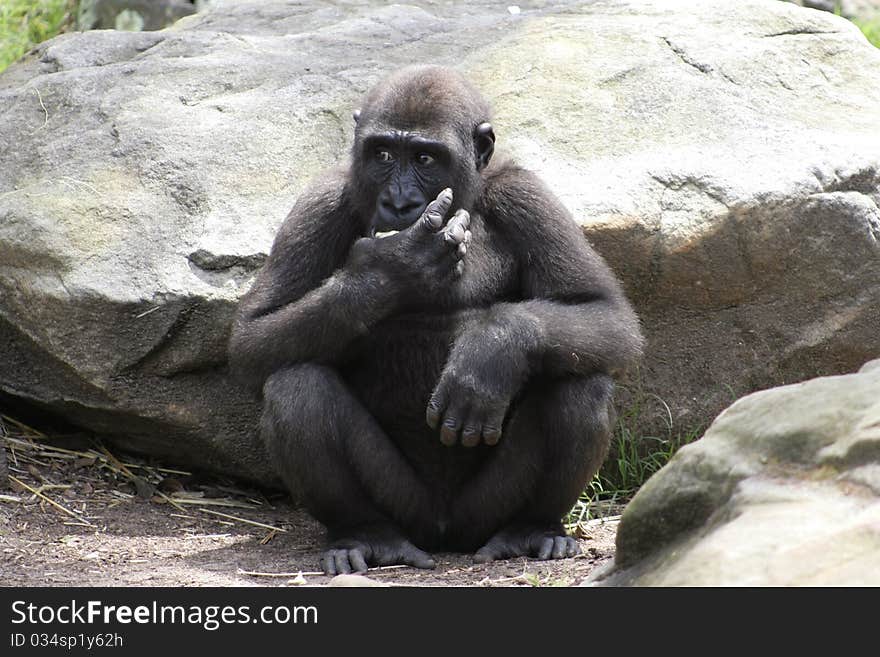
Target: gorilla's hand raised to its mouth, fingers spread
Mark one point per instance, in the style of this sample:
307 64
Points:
422 257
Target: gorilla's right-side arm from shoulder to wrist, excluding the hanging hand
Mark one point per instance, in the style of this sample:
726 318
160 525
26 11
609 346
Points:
574 317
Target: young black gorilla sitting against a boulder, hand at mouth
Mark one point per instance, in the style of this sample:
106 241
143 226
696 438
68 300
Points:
435 341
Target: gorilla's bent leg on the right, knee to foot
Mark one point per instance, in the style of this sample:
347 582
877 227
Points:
555 441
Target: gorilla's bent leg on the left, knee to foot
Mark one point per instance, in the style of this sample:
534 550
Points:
327 447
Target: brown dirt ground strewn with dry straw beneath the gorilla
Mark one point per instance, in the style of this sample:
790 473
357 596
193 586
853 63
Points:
76 514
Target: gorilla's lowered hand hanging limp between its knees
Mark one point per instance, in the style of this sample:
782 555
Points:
483 374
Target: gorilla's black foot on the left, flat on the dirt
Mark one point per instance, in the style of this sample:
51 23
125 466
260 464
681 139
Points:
365 548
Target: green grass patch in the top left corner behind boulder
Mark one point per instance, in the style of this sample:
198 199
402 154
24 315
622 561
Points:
25 23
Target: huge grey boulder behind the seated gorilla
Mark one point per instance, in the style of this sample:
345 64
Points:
724 157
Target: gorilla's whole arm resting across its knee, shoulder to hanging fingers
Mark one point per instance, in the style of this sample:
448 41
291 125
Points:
573 320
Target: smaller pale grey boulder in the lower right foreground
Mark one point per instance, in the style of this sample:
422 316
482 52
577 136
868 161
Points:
783 490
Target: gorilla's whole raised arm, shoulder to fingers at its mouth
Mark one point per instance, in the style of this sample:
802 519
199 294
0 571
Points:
321 286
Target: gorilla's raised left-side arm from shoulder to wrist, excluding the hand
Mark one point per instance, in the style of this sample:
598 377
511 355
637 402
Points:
300 306
